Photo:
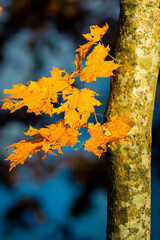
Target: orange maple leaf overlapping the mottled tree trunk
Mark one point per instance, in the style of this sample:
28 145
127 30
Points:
116 129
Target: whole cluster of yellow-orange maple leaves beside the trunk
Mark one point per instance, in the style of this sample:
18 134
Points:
77 106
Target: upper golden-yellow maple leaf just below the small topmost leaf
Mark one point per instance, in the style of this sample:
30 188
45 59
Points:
97 66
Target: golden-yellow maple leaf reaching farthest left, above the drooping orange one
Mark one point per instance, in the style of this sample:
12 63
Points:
38 96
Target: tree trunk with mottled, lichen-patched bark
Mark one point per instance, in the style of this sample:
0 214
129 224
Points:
132 94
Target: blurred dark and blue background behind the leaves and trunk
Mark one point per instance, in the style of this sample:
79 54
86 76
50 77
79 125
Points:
63 197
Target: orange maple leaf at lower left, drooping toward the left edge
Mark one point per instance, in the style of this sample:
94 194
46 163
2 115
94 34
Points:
50 139
